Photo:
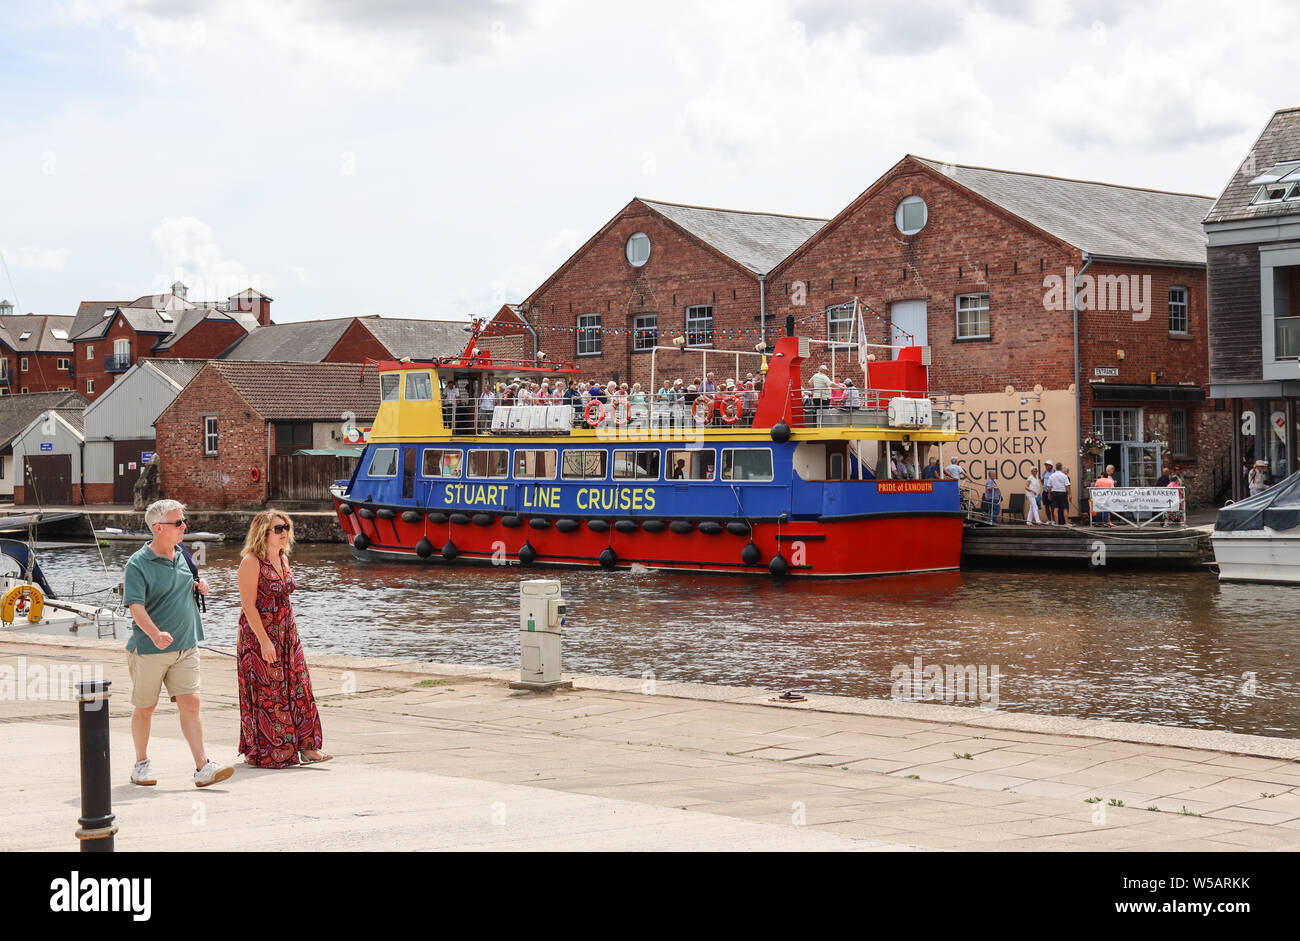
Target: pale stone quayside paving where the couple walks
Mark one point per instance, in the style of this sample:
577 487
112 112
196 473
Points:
449 757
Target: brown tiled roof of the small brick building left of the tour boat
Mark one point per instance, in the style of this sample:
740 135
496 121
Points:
304 392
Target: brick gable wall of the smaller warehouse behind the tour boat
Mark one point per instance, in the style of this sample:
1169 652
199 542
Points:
682 272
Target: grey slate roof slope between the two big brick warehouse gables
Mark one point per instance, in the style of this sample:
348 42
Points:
759 241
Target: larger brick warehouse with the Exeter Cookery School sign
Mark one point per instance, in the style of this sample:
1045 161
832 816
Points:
980 264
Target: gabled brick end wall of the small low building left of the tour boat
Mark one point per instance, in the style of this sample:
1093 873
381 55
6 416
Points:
218 482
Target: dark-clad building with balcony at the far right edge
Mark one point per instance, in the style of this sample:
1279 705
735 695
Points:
1254 258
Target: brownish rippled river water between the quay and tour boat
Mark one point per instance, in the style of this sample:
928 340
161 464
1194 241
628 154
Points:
1167 648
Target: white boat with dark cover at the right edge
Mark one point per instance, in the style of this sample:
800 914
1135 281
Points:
1259 539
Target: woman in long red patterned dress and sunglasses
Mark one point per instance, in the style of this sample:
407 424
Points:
279 722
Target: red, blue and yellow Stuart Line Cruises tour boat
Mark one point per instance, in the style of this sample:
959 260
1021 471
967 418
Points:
777 483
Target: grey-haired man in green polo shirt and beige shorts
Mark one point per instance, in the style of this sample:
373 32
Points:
159 589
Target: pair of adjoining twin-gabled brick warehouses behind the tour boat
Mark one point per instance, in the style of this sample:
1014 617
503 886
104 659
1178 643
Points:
922 241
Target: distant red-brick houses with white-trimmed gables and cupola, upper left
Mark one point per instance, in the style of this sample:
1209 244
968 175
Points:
110 337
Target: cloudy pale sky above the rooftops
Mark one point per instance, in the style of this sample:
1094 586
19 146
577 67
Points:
437 159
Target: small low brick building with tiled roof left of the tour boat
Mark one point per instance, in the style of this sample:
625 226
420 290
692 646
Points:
216 440
